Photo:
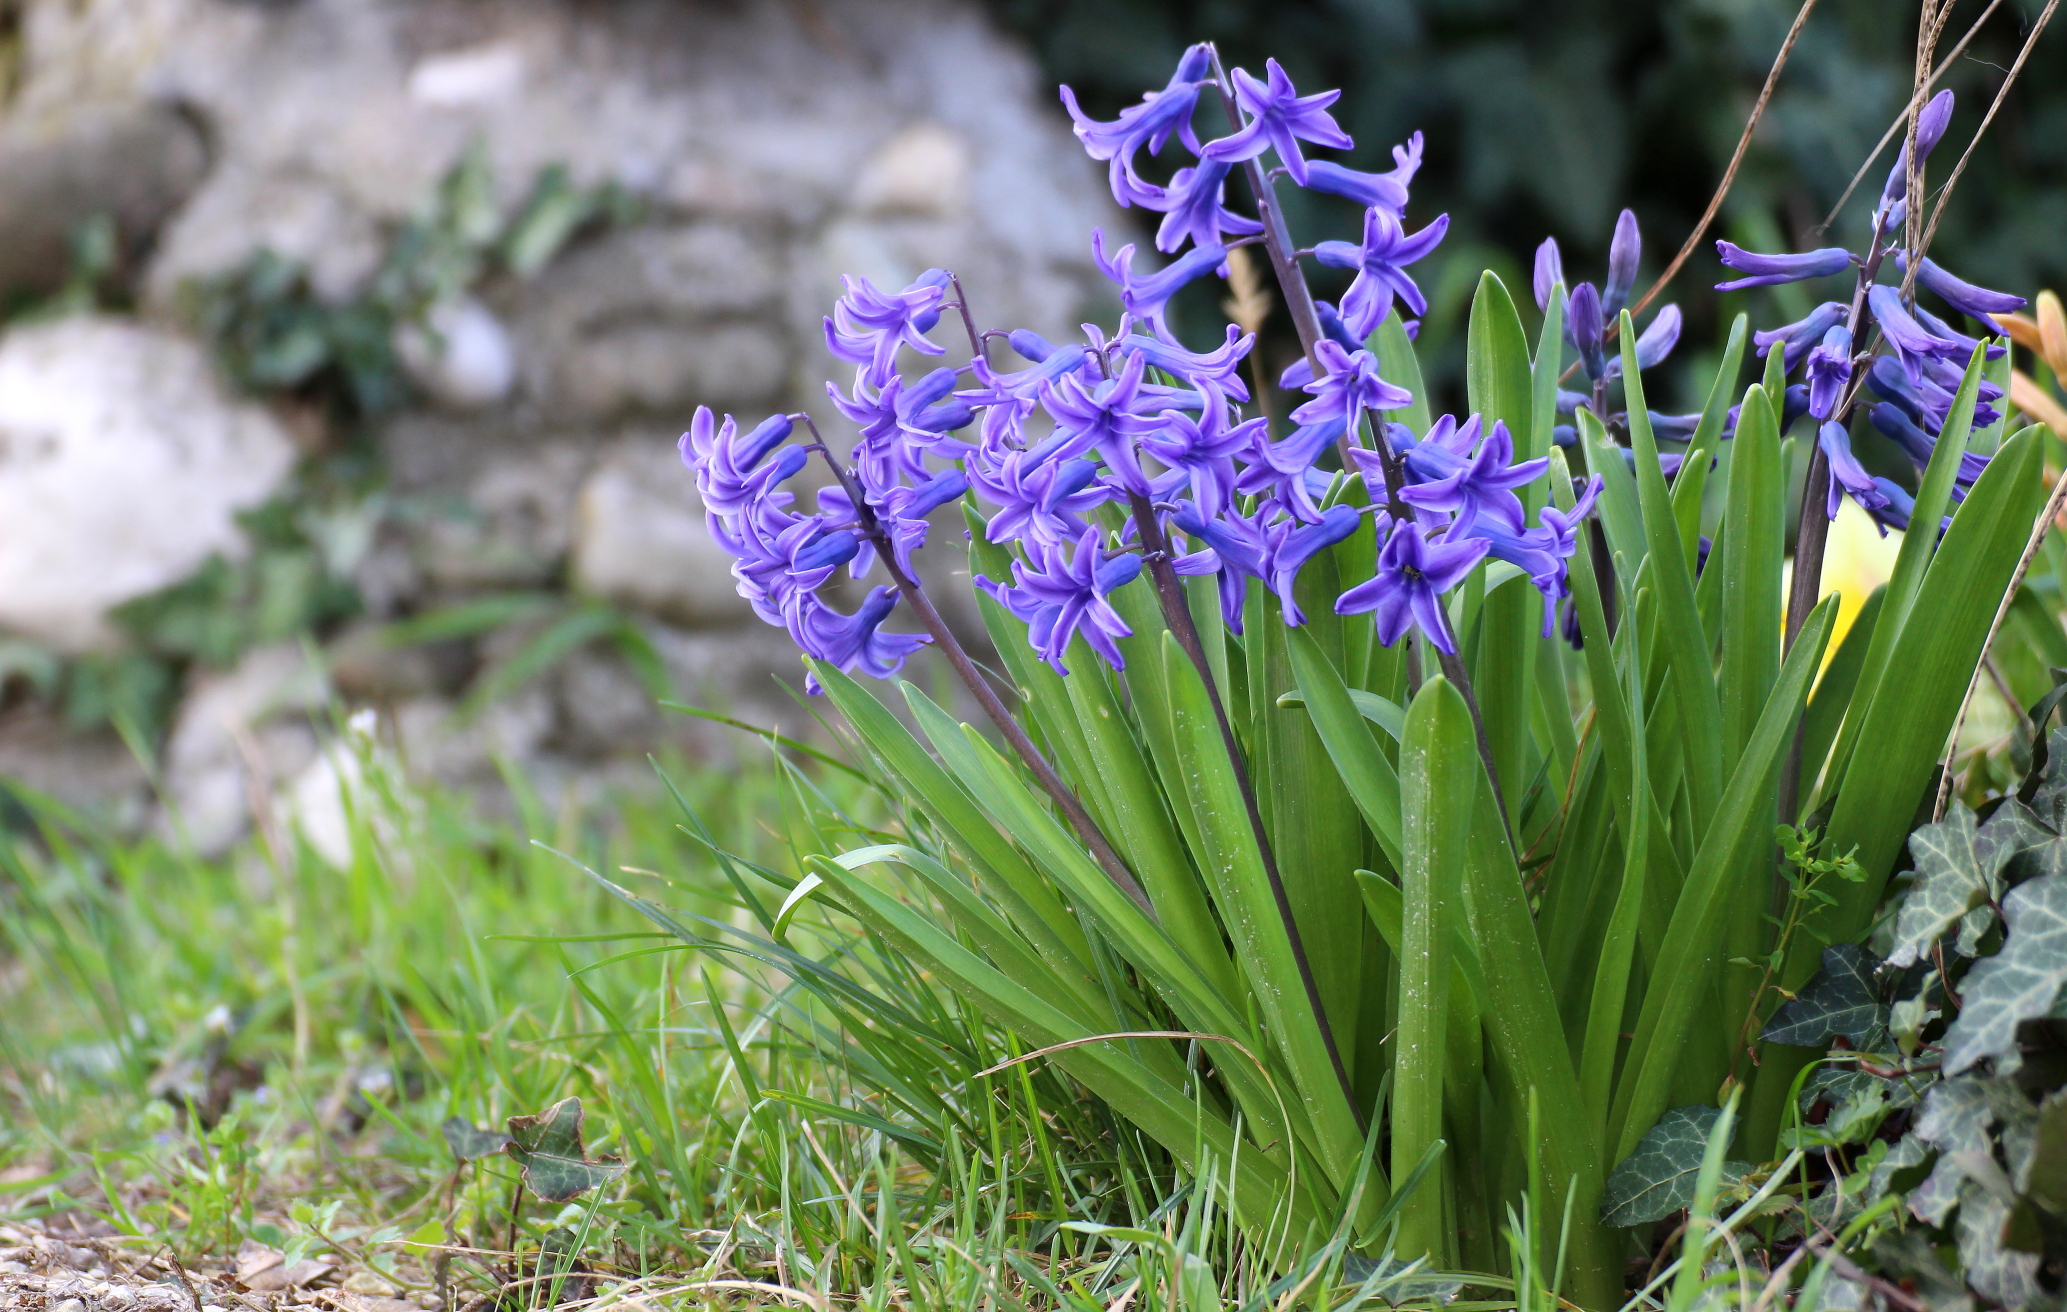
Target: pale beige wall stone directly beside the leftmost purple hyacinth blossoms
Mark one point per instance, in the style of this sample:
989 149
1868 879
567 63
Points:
642 540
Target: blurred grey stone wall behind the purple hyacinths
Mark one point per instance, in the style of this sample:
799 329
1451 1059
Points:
770 146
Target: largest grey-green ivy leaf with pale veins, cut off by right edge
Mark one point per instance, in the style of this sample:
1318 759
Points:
2016 985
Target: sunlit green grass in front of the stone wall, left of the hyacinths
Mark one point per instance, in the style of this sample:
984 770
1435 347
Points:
264 1049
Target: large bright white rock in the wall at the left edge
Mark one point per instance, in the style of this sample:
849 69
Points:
121 468
